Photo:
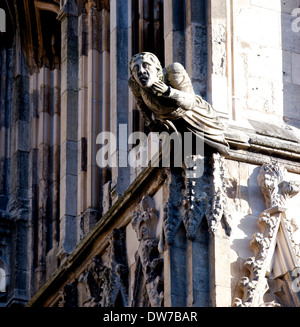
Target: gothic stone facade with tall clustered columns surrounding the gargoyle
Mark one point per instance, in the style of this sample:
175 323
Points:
73 234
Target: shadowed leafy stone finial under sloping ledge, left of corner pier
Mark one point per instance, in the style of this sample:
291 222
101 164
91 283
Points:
148 261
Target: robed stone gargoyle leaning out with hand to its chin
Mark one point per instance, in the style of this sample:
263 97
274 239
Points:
166 97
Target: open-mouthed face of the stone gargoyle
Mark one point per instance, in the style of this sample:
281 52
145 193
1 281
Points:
144 72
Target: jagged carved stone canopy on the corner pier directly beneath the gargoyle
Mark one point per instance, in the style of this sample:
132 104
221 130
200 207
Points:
199 199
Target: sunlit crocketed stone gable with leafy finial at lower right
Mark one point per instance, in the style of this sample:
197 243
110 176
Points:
275 228
